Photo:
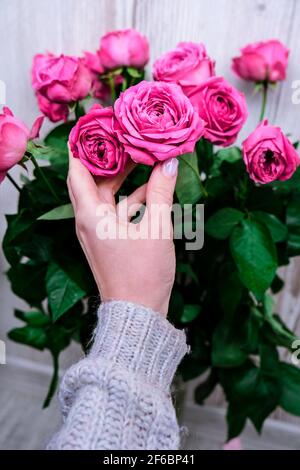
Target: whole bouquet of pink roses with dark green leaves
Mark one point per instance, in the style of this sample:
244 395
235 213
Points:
223 293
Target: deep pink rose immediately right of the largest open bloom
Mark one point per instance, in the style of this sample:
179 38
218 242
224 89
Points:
223 109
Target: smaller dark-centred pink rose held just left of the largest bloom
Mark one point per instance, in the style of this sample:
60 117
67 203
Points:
94 141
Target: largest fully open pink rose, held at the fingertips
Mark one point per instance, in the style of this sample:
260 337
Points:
156 121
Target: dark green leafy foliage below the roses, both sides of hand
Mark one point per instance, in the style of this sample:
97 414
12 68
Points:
221 295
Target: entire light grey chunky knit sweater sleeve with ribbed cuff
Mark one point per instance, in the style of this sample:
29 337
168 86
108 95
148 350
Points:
118 397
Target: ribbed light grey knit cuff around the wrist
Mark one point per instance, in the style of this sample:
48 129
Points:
139 340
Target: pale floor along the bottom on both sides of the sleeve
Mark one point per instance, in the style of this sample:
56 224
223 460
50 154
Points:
24 425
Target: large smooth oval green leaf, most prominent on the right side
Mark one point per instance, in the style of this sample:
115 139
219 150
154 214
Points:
254 253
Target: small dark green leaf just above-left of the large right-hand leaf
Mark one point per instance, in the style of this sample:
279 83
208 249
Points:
222 222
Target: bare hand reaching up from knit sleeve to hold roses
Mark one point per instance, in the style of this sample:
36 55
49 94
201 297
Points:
127 267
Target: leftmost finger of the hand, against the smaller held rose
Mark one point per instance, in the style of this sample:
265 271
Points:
81 185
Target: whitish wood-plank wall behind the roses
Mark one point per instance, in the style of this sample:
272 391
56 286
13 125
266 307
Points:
71 26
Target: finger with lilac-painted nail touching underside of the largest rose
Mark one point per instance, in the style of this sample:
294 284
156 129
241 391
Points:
161 185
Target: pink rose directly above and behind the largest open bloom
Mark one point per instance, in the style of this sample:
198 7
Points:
188 65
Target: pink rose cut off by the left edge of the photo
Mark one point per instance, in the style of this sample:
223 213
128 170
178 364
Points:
14 135
